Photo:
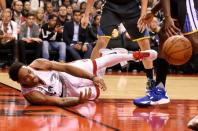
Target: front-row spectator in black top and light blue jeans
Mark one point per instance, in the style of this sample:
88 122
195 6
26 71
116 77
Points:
51 35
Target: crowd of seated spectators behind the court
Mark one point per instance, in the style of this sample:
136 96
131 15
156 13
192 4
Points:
51 29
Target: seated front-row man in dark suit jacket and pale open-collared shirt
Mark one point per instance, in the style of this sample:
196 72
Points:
76 38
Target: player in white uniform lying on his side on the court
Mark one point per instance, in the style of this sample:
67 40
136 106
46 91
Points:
46 82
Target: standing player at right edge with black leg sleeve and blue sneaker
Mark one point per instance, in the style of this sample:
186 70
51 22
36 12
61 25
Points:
187 21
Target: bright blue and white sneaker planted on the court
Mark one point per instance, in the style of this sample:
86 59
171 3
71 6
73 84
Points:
155 96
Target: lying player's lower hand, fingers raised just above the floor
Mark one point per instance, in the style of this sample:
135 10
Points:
84 97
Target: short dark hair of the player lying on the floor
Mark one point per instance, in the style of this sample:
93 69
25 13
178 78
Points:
14 70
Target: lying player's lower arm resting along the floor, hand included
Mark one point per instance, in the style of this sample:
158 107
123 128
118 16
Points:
37 98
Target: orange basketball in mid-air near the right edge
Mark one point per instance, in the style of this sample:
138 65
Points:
177 50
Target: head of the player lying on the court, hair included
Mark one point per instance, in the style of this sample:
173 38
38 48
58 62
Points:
22 74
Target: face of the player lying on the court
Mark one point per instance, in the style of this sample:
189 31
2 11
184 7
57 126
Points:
27 77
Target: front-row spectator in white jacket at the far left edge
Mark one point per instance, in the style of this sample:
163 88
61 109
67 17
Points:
8 32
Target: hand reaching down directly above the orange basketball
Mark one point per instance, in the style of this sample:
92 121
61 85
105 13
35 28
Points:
170 28
